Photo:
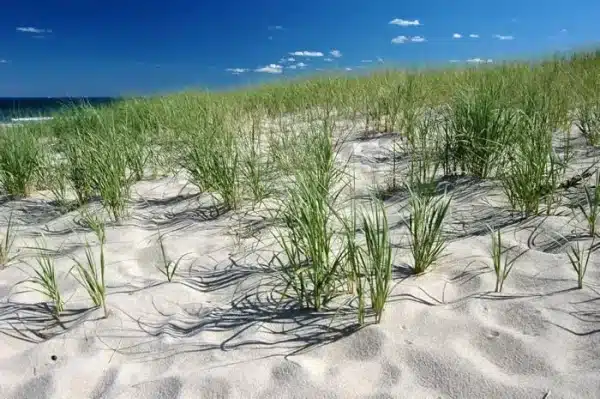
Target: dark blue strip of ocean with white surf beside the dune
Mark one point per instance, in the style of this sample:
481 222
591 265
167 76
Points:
27 109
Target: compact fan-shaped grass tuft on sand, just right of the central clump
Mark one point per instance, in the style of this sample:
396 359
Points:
426 229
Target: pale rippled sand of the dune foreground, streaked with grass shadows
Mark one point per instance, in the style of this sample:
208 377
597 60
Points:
215 332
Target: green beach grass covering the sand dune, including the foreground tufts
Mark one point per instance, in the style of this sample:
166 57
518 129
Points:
283 141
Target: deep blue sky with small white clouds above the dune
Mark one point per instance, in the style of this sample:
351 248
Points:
109 47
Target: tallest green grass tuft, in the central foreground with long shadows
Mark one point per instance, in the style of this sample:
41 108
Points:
311 268
